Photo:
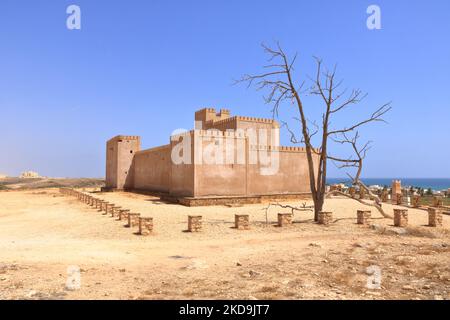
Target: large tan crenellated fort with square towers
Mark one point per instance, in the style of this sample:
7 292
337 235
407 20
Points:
223 160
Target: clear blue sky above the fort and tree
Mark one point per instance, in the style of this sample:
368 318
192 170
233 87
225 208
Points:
144 67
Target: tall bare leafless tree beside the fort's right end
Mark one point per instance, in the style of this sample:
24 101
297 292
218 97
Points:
280 83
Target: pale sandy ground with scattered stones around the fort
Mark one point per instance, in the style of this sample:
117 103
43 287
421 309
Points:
43 234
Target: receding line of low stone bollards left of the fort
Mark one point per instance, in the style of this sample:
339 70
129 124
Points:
144 224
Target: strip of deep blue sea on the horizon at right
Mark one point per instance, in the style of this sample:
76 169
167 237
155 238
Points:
436 184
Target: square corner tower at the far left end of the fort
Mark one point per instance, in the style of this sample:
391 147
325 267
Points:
120 152
